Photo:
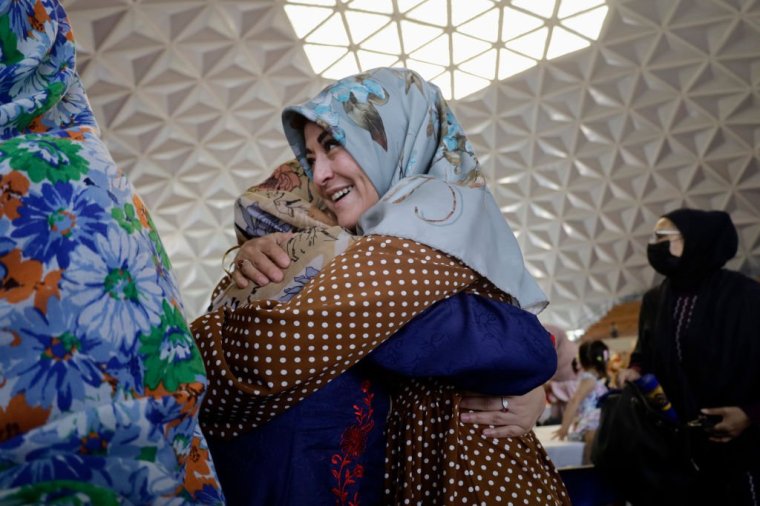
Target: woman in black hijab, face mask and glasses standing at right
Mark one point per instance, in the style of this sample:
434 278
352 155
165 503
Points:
699 334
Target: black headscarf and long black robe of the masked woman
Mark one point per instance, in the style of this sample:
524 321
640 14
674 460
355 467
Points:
699 333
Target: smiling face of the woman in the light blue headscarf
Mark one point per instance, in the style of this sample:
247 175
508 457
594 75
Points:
345 188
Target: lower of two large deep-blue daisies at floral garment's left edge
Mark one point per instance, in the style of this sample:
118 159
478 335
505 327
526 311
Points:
54 364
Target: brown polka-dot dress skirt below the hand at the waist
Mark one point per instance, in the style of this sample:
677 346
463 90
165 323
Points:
433 459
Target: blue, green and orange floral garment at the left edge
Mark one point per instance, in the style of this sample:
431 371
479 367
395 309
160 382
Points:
100 380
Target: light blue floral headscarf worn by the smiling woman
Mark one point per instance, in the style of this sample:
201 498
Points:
403 134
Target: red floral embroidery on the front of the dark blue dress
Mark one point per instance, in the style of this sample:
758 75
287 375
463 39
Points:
352 444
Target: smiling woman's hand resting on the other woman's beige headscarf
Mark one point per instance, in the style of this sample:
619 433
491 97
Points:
261 260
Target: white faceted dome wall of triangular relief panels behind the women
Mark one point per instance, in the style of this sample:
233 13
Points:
583 152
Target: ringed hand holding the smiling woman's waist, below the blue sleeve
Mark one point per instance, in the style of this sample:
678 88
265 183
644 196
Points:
520 417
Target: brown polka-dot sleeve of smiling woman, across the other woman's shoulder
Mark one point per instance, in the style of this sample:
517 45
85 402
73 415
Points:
264 357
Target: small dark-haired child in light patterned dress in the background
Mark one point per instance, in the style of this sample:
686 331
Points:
581 417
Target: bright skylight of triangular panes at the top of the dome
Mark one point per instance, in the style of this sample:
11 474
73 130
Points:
460 46
